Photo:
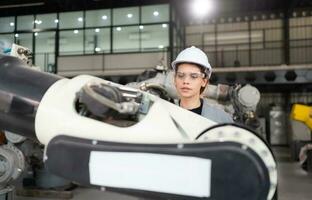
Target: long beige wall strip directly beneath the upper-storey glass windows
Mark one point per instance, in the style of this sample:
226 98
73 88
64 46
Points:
110 64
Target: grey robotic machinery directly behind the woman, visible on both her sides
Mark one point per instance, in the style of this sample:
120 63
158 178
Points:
240 101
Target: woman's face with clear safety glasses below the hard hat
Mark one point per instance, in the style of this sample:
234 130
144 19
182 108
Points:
188 80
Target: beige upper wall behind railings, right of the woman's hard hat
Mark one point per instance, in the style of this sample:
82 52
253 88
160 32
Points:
252 40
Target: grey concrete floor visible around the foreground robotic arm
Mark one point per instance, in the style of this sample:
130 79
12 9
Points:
294 183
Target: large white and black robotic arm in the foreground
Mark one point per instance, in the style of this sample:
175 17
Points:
99 133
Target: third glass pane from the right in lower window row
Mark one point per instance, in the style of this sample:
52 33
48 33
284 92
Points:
97 40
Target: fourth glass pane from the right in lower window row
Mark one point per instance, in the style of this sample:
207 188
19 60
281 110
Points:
71 42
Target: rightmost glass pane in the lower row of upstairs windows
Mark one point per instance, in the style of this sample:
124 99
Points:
154 37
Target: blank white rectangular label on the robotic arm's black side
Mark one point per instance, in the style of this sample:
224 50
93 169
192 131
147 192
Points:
182 175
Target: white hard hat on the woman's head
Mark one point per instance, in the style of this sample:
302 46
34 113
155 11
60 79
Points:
193 55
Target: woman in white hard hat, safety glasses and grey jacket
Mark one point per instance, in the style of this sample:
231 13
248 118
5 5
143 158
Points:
192 73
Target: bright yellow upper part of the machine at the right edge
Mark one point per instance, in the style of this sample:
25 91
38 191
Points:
302 113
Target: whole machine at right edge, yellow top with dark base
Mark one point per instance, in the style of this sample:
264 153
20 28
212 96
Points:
303 149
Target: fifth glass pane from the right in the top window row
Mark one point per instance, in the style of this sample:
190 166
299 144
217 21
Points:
46 21
